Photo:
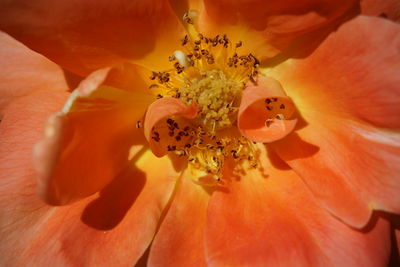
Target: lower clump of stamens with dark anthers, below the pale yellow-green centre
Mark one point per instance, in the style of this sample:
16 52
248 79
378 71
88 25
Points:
205 150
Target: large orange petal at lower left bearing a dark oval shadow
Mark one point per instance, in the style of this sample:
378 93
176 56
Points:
108 227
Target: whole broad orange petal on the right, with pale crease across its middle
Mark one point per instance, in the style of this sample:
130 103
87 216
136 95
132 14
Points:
341 96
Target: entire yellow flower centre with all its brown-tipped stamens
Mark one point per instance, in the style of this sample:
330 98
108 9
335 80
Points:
210 72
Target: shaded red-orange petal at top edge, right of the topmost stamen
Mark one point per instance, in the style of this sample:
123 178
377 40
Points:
271 22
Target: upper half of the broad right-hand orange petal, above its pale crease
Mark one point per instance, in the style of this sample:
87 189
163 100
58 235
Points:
359 80
